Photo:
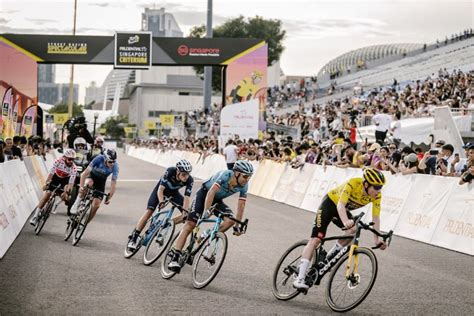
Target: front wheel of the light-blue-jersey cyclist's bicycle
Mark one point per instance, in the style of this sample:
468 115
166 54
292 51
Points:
209 260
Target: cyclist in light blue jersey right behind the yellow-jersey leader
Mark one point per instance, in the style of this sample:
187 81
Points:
220 186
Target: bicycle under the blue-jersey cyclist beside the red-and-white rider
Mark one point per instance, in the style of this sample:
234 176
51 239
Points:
77 223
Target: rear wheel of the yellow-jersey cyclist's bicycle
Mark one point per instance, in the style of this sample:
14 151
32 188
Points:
286 271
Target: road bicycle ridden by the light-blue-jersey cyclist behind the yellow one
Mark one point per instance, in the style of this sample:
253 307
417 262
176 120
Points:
206 252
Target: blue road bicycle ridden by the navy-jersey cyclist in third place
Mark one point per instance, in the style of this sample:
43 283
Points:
158 236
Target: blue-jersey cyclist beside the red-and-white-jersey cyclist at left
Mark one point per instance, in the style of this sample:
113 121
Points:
95 176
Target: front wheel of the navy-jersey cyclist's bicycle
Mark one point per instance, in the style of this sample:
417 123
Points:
158 242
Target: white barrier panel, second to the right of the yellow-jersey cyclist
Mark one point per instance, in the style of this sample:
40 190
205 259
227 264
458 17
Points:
423 207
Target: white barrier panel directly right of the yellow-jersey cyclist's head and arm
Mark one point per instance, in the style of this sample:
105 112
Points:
394 195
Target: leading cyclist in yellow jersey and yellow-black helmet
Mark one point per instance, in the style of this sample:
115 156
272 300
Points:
336 207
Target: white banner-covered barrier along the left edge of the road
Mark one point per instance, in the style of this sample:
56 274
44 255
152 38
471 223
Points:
20 188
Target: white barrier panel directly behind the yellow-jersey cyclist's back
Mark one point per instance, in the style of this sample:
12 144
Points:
319 185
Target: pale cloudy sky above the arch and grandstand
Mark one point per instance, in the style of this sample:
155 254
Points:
316 31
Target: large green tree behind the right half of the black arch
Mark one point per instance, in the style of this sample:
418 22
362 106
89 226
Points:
269 30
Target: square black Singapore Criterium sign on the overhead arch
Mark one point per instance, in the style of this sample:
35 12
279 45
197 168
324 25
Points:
133 50
